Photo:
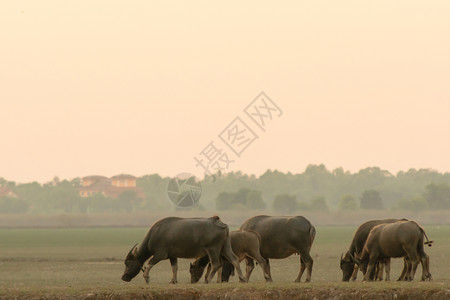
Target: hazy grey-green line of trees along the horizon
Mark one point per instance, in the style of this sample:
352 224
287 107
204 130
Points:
317 188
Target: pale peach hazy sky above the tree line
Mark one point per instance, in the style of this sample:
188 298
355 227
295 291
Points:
109 87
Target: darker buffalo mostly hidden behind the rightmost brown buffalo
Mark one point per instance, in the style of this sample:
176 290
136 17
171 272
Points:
349 263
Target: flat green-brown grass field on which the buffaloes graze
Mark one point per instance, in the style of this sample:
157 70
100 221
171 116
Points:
58 263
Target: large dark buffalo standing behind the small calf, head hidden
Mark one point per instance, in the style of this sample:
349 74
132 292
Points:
280 238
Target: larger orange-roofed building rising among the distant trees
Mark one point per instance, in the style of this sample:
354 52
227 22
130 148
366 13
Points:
109 187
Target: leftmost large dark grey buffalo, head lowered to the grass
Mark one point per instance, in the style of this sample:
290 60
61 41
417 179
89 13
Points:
173 238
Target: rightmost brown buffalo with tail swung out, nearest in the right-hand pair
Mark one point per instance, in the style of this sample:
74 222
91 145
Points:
400 239
